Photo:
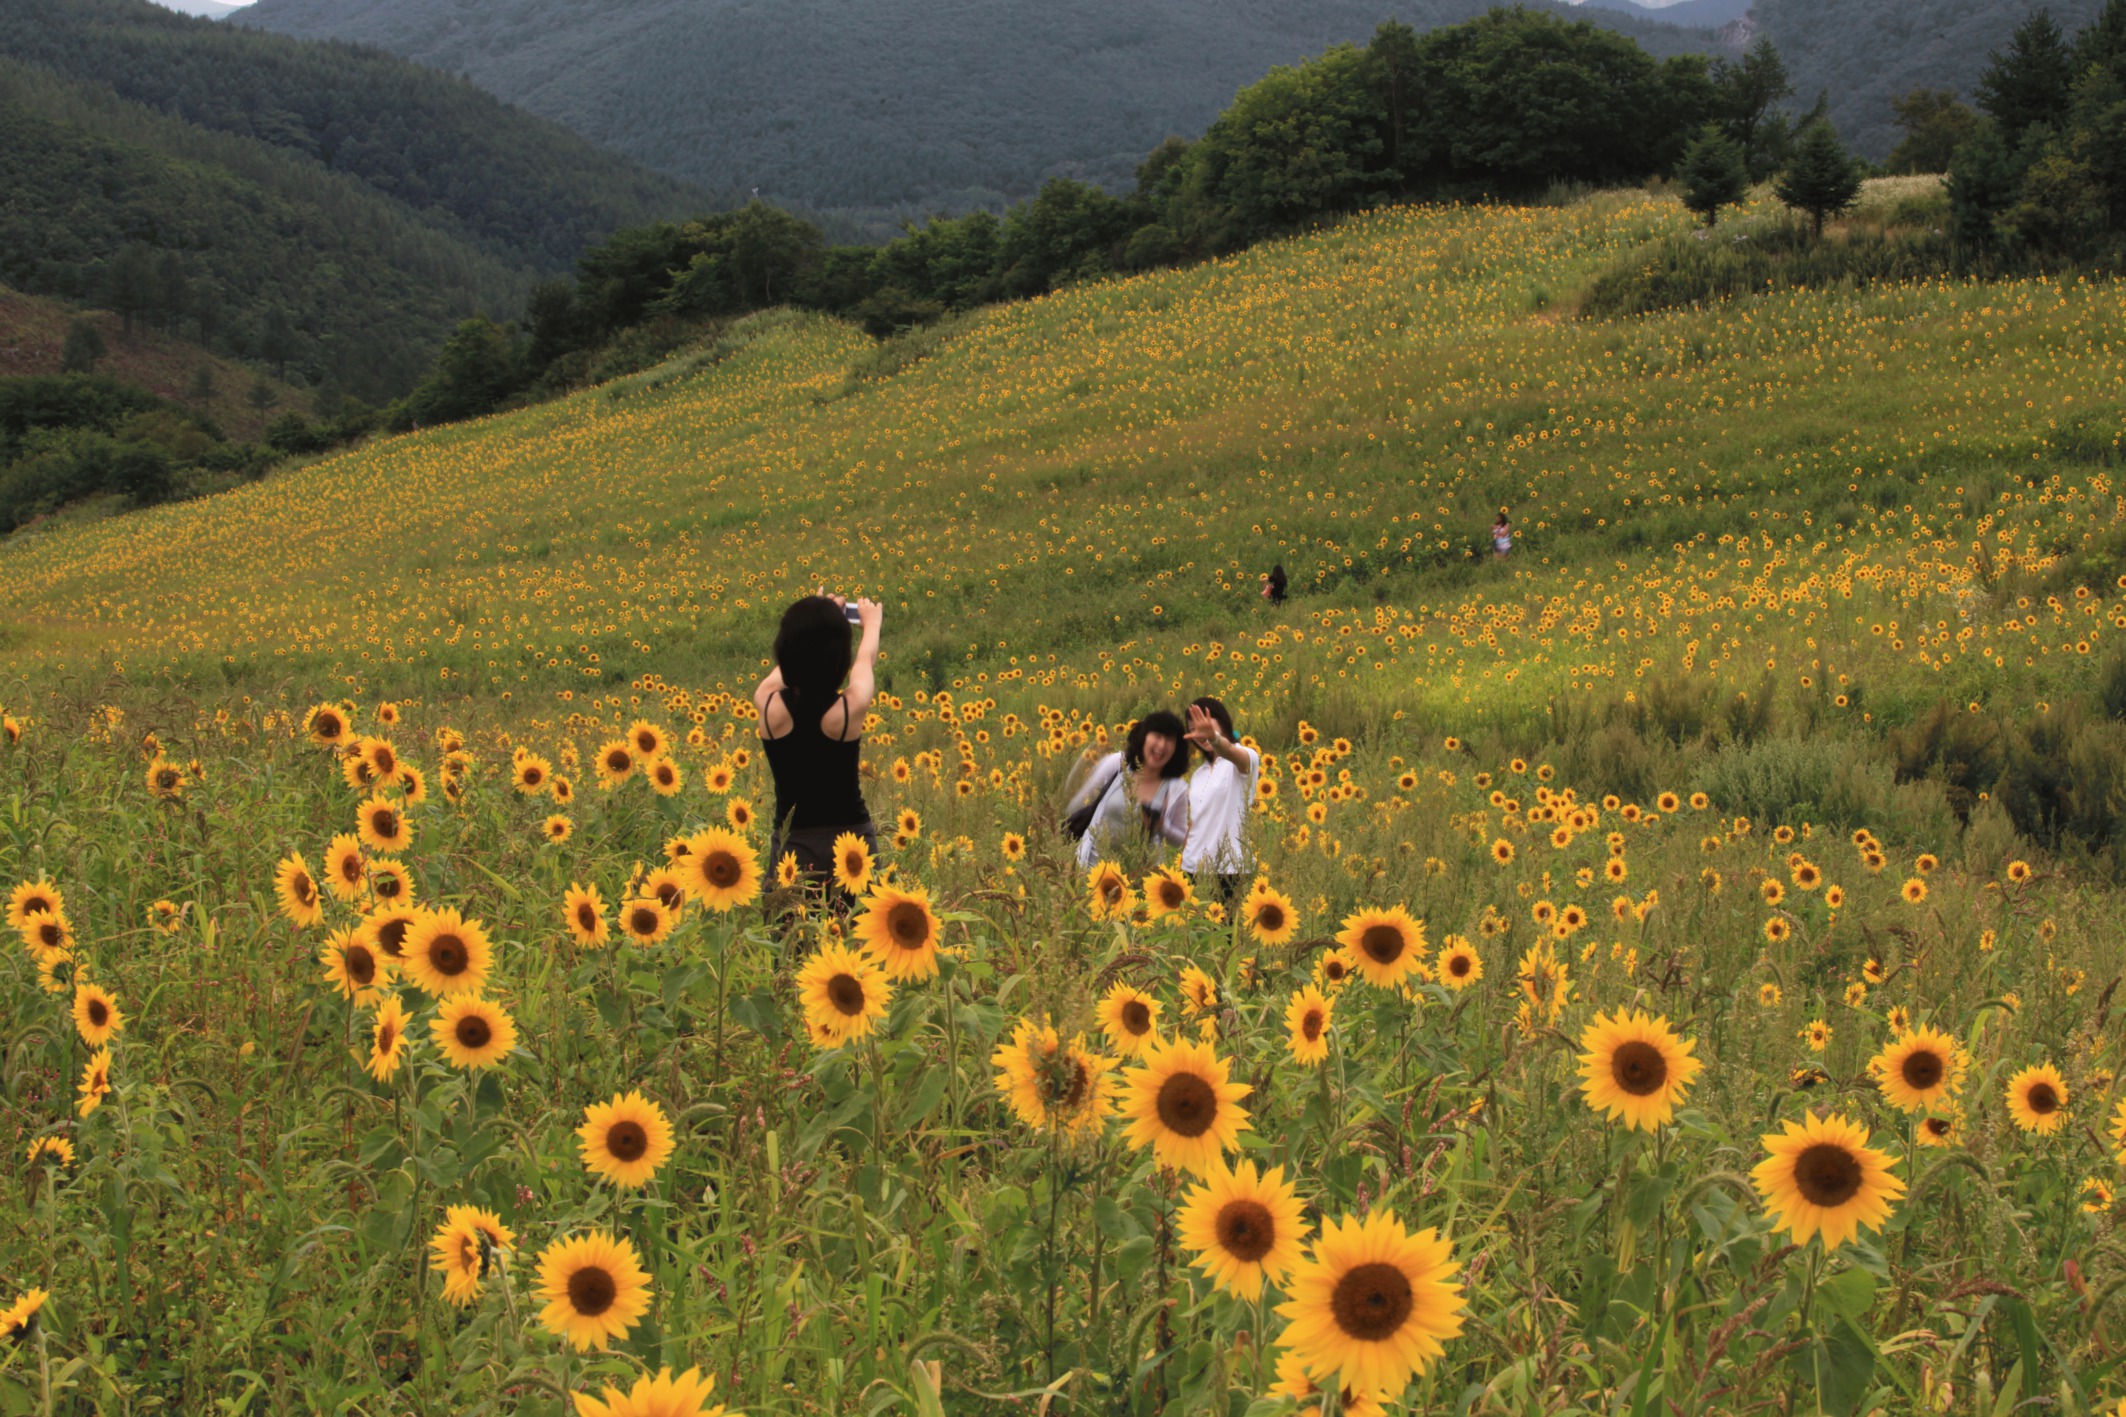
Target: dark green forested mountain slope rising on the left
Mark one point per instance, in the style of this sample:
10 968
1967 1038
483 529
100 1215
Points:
320 209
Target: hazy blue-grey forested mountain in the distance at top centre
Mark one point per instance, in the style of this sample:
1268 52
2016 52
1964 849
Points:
881 103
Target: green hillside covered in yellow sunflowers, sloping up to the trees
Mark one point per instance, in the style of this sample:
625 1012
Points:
1678 974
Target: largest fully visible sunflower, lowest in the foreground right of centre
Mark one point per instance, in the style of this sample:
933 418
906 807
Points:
1372 1303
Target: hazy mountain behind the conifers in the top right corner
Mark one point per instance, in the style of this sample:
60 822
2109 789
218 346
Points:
1866 52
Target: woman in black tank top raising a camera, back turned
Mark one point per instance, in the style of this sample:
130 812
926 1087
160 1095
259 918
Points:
813 708
